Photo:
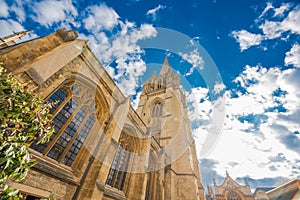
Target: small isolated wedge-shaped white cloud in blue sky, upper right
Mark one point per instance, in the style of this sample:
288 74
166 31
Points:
247 39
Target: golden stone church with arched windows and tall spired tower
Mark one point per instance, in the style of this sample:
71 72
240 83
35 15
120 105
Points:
102 148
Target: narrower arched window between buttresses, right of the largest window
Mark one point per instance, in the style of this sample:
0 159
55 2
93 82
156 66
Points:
118 171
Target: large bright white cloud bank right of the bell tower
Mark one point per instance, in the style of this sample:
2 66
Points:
260 123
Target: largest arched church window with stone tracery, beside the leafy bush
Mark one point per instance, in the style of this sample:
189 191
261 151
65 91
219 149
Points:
74 117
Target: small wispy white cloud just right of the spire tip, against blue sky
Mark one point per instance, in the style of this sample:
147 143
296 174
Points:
195 59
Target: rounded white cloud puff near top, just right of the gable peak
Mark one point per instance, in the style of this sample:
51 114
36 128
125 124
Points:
100 17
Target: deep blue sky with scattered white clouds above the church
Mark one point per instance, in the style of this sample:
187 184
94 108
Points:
243 62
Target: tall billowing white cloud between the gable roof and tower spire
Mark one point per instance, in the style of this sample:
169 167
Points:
121 50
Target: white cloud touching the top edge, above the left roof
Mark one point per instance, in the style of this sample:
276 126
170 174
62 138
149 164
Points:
47 12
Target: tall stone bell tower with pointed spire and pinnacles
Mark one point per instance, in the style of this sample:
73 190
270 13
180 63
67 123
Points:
163 109
